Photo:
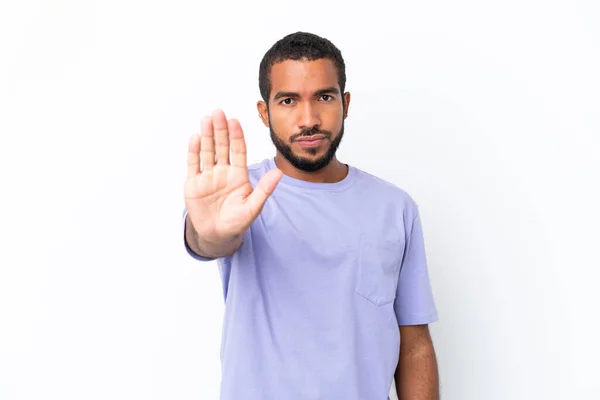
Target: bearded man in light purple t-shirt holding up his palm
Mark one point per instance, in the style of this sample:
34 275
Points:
323 265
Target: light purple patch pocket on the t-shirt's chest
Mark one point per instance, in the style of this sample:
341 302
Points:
378 269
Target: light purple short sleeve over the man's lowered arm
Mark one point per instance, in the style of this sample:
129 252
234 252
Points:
414 303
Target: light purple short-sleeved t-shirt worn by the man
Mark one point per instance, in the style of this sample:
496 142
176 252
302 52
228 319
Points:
315 294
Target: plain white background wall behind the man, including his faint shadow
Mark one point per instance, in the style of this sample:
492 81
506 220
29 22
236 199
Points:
487 113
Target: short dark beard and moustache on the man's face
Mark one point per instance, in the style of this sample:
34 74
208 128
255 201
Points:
302 163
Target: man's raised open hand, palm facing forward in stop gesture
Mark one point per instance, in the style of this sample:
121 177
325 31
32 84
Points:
219 198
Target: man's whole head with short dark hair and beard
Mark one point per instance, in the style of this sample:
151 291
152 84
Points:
302 79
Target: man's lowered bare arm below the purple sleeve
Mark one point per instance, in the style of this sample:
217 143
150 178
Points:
417 376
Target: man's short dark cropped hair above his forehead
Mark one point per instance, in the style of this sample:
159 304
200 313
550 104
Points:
297 46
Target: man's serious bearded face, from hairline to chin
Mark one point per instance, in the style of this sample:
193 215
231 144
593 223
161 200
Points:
306 112
